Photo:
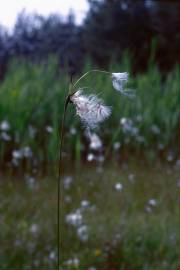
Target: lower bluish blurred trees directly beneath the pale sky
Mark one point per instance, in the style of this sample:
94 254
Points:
36 38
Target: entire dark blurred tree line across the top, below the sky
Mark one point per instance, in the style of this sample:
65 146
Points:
111 26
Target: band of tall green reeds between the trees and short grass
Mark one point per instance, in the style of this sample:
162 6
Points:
32 96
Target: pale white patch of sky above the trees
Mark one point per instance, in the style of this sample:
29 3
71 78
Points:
10 9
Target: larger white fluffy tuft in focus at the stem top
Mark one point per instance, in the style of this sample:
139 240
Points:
90 109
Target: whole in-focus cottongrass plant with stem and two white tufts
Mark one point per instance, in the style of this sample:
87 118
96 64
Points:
92 111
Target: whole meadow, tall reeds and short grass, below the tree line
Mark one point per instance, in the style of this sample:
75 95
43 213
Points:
120 199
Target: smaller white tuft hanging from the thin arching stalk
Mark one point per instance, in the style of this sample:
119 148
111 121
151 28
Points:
119 80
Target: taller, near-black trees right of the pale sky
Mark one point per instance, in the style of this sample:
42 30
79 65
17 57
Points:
114 25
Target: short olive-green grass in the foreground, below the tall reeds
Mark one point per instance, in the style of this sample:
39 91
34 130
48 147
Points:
125 232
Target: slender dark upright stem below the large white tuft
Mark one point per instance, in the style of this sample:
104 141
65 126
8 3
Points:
61 135
